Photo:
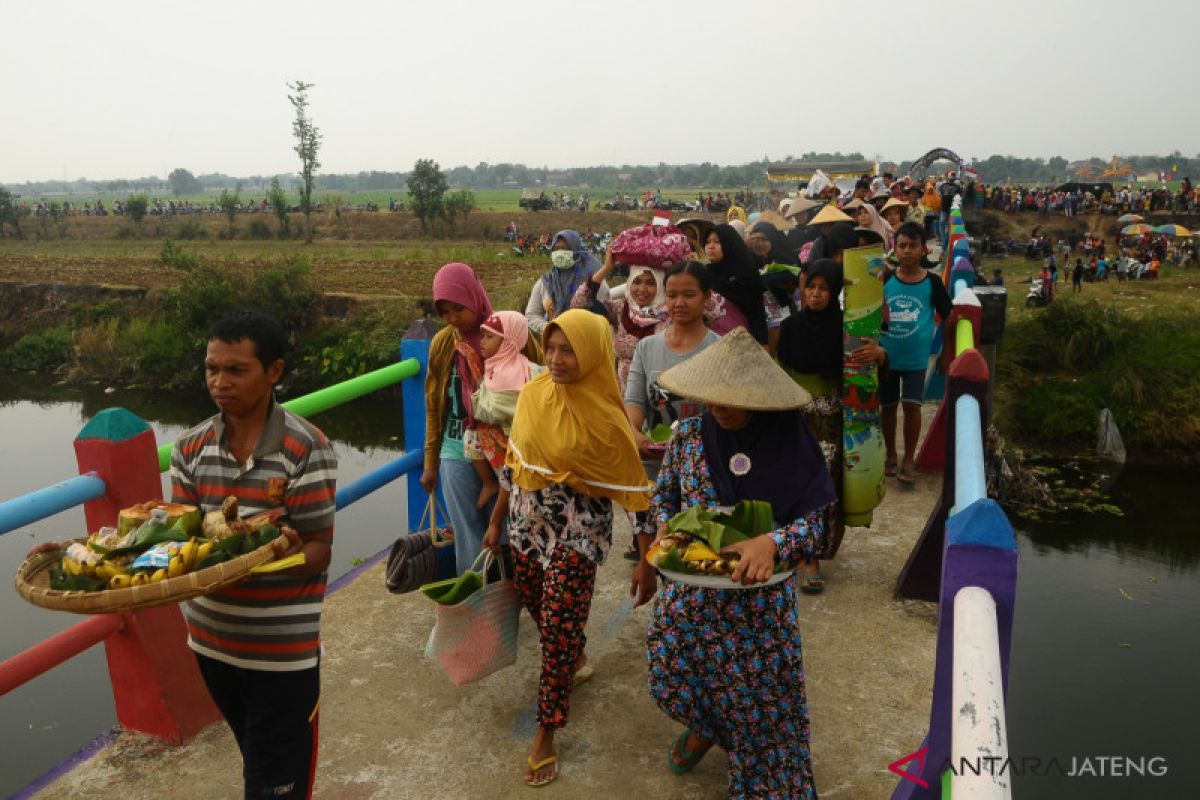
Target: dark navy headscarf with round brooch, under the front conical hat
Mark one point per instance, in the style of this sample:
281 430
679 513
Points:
788 468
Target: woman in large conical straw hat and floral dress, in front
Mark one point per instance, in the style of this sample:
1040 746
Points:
727 663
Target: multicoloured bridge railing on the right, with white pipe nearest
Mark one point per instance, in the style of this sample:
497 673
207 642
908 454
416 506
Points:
965 560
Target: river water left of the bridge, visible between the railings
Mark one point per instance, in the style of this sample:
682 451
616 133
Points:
61 712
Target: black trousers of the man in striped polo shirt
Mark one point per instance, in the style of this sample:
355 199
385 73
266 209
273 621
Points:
274 718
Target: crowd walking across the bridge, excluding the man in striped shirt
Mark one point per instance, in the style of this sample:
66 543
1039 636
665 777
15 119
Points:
539 423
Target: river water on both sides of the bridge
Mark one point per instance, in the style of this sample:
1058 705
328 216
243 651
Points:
1105 647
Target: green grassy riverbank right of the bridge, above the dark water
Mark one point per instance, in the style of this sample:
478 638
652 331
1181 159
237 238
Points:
1131 347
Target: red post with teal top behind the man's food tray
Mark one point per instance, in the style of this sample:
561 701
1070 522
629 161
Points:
157 683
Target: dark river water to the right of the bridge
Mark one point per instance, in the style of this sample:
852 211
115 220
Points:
1106 646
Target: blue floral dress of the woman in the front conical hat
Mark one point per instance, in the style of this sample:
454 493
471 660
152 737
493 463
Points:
728 664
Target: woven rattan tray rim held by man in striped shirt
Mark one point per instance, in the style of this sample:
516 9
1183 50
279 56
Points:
33 582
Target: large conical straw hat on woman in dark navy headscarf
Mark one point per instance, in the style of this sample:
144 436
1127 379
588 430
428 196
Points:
736 372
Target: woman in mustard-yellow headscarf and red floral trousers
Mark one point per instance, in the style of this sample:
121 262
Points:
572 454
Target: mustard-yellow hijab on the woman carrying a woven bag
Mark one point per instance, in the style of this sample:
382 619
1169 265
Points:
578 434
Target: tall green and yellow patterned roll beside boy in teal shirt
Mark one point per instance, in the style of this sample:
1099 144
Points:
862 484
